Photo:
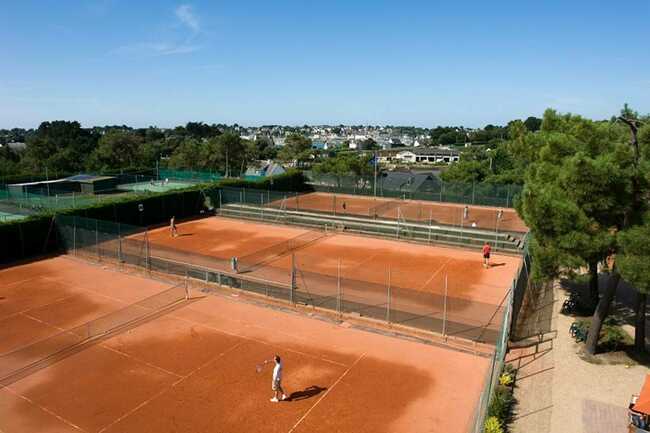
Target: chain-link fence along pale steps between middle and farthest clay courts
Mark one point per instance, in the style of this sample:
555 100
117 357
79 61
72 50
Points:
376 216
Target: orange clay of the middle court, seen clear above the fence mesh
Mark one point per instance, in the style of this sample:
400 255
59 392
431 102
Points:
362 259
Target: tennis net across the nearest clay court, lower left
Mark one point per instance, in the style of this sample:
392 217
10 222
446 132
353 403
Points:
31 358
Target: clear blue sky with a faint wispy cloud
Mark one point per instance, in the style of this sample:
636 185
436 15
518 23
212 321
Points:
294 62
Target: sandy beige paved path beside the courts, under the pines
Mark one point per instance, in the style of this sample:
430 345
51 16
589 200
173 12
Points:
559 391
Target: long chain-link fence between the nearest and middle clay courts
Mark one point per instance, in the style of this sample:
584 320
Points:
391 295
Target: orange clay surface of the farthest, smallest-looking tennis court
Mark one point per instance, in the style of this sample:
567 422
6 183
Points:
450 214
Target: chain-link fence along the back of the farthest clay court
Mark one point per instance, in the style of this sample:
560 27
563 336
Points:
416 186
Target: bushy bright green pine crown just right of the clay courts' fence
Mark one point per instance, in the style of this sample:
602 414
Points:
577 190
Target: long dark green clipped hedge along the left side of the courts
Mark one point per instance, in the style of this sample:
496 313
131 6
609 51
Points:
32 236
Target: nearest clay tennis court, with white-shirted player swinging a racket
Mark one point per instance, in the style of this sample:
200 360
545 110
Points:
193 369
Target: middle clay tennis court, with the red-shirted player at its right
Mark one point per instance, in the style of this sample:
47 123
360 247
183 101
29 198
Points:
418 275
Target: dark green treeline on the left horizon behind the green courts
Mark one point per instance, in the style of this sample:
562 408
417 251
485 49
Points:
65 147
